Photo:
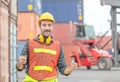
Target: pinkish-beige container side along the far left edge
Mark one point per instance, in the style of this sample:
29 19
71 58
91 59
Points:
4 42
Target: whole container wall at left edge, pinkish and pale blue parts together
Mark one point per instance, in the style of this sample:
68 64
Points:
8 16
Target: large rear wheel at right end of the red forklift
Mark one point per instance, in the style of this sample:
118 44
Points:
104 63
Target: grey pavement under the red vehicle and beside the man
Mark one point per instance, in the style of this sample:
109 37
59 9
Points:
84 75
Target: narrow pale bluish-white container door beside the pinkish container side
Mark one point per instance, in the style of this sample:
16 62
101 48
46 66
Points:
13 54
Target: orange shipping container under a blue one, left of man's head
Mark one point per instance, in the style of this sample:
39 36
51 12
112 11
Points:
27 26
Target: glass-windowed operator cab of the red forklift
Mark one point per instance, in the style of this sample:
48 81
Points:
86 34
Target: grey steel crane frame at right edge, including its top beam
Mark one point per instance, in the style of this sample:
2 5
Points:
115 4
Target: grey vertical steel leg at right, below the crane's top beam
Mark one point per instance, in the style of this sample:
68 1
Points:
114 33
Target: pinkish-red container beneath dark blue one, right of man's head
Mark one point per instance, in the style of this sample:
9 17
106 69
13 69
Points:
63 32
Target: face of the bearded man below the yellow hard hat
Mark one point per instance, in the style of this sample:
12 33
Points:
46 27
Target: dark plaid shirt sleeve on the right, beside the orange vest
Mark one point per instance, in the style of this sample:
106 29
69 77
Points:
61 62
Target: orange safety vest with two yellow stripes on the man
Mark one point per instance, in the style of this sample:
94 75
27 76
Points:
43 60
